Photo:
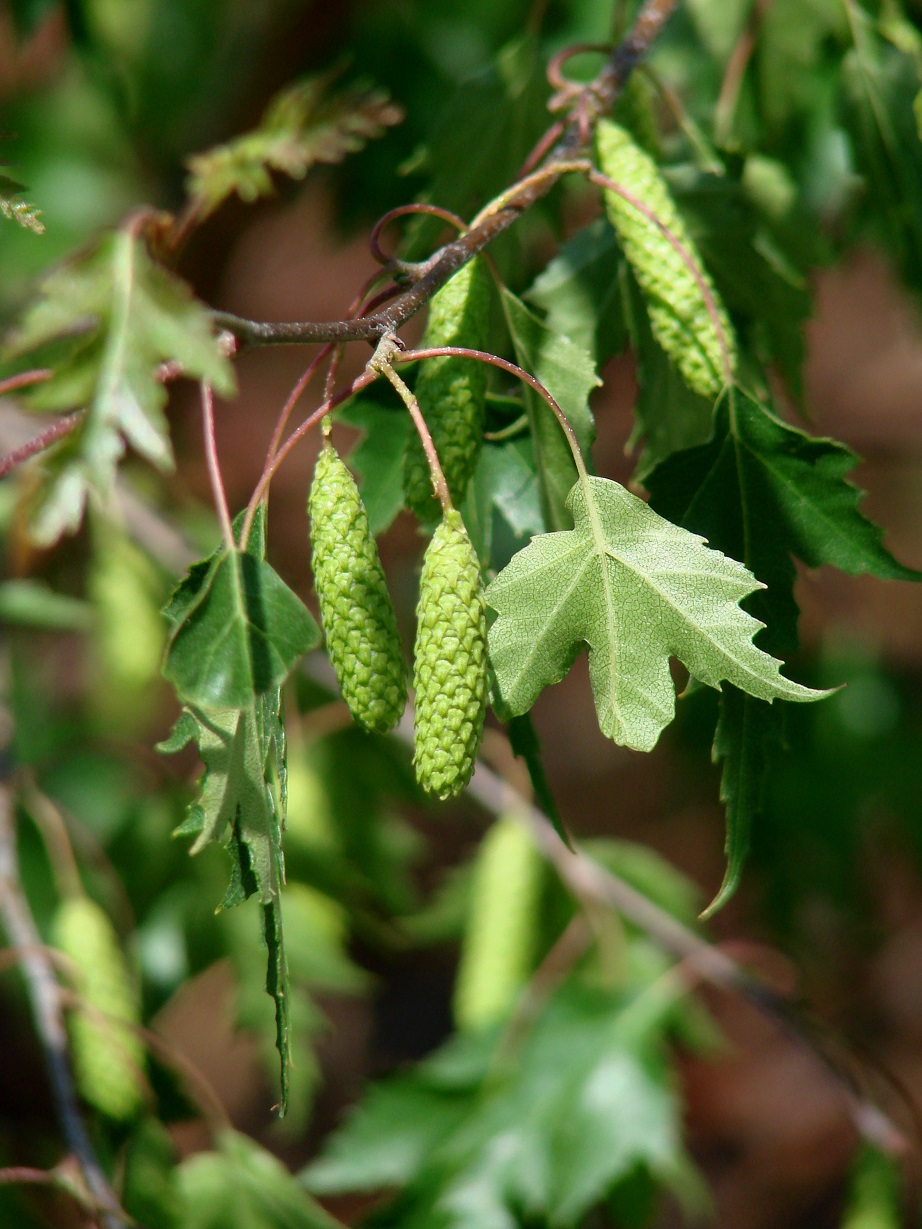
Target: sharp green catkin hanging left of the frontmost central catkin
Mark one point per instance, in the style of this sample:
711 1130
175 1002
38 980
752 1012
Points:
356 609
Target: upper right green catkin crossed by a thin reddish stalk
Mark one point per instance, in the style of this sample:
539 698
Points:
677 305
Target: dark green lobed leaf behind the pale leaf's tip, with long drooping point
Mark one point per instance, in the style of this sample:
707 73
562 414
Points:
765 491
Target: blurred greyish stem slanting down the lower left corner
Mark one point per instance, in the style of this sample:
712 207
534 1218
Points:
46 999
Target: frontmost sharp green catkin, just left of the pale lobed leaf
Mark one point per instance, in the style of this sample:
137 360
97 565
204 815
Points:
451 662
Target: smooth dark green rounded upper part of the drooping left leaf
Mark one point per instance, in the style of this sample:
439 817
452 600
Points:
238 632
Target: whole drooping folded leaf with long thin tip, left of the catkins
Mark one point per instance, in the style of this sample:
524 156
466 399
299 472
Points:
239 731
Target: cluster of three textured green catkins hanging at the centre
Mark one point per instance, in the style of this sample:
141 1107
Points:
361 629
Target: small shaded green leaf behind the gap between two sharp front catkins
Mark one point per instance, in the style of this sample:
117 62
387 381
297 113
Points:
378 458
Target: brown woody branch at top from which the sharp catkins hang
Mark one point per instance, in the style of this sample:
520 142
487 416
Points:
594 101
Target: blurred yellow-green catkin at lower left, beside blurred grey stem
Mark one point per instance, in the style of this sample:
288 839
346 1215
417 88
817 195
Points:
108 1054
